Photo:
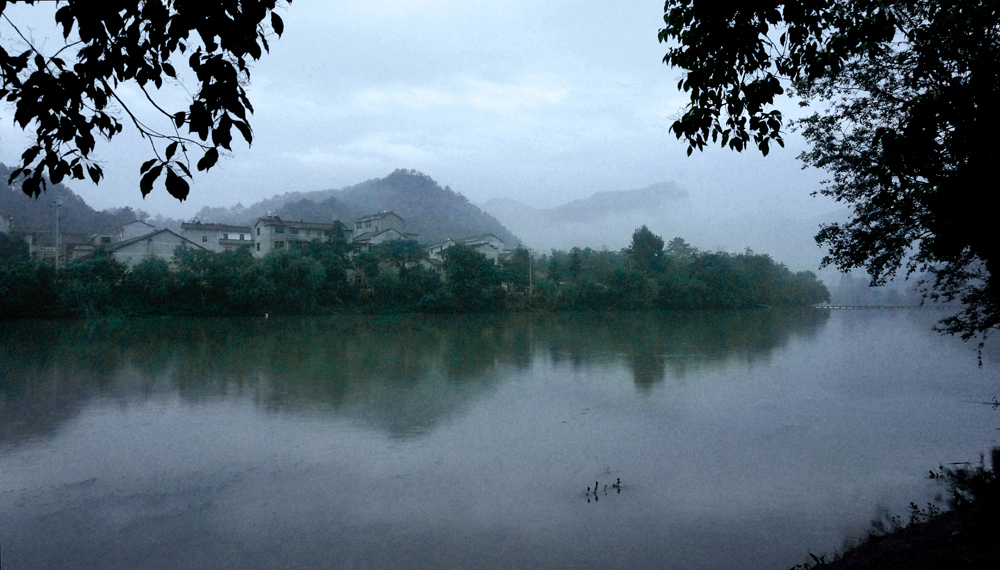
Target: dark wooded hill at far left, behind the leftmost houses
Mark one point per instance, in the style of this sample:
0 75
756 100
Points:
39 214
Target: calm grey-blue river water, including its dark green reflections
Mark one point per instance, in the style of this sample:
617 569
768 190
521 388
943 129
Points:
741 440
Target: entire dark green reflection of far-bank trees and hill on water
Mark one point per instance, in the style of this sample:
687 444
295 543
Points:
401 374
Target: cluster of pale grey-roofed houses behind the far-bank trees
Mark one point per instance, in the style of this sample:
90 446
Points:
138 240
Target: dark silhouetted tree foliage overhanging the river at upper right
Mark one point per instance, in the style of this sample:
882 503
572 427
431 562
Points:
907 94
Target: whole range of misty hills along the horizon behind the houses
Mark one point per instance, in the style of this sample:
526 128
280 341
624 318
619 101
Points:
605 219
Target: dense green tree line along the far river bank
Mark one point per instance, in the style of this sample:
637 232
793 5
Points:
330 276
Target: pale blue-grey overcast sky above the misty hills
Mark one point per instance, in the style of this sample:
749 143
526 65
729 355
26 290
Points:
543 102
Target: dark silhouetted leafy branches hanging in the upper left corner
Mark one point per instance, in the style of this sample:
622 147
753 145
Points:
69 98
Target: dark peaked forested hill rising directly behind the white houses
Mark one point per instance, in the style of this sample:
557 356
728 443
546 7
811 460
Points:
433 212
